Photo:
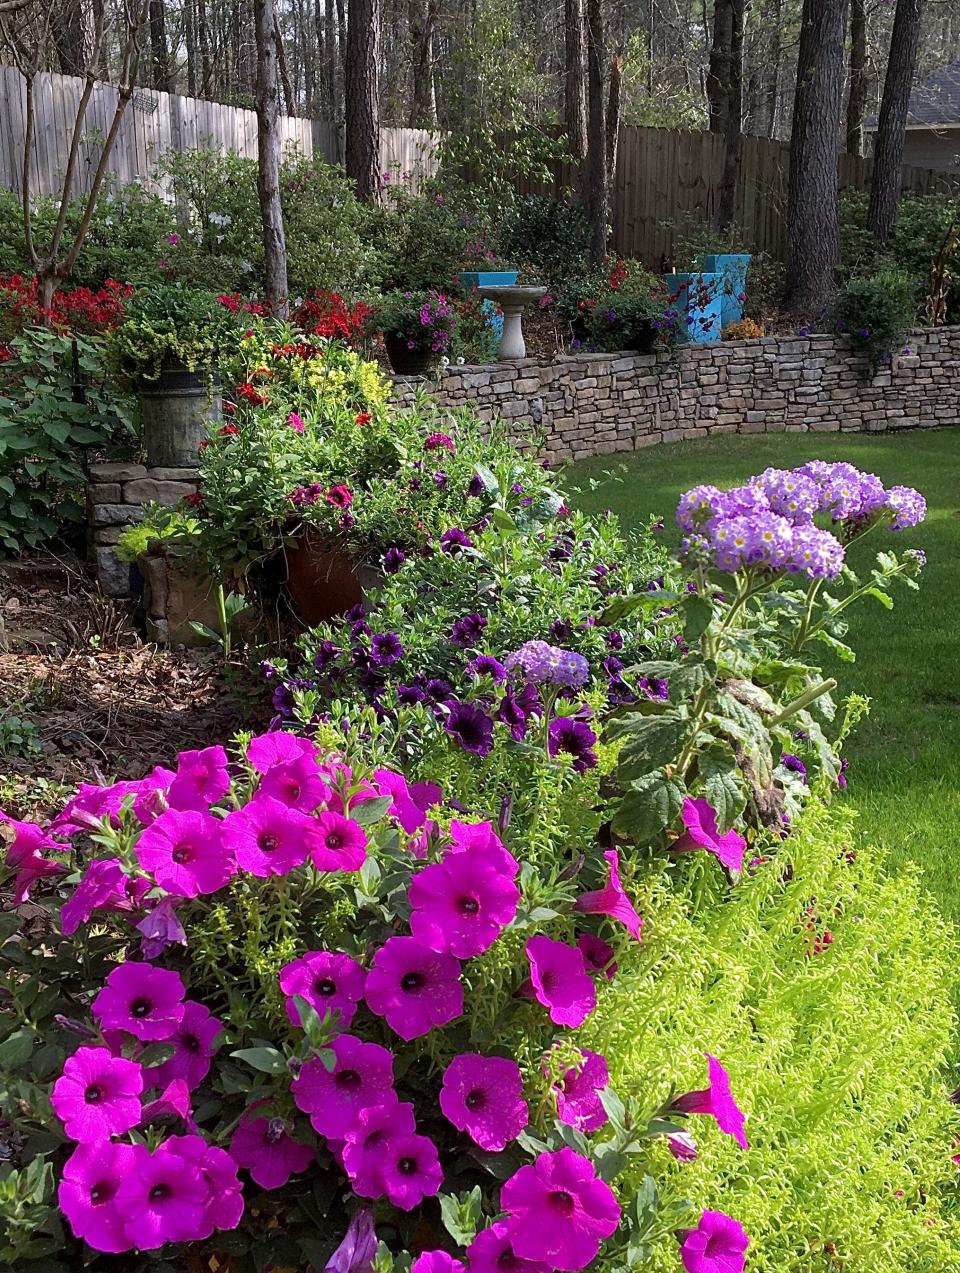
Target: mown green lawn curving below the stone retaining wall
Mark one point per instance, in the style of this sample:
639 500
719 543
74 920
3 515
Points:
906 757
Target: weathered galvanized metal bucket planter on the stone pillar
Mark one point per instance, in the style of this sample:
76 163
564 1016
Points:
175 411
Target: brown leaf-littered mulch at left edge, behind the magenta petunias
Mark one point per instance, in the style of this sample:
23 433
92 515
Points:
102 703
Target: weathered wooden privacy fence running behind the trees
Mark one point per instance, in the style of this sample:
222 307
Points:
667 181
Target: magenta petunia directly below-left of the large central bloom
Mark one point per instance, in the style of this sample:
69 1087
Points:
416 988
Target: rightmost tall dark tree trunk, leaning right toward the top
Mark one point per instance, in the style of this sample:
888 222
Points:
892 125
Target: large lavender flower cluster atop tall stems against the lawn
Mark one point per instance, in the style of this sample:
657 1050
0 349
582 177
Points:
770 521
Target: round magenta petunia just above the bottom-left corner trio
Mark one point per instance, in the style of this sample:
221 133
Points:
97 1095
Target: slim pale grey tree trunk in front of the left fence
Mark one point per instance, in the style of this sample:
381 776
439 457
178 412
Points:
268 102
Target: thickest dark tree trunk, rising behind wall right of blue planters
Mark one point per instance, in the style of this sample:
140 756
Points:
813 200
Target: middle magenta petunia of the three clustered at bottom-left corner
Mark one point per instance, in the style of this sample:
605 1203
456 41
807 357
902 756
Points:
164 1200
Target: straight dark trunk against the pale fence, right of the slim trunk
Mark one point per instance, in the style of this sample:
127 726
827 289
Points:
362 155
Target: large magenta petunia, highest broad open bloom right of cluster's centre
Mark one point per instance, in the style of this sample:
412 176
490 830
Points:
462 904
